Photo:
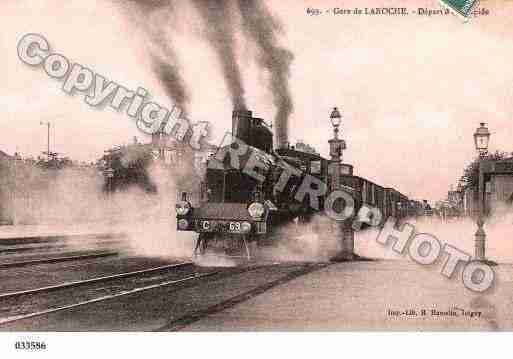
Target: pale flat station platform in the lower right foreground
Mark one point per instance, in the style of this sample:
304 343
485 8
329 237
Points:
377 295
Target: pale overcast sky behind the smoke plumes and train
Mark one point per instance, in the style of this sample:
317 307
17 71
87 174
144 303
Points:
412 89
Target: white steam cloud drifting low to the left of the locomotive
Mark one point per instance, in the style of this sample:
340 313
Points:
73 200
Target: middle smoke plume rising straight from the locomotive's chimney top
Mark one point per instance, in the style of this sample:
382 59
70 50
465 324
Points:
220 32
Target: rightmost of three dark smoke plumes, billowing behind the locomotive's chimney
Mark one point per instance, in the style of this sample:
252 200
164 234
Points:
262 27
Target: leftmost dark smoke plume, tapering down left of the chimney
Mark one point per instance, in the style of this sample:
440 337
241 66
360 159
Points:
156 16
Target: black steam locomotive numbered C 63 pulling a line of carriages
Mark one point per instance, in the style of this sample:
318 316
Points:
243 203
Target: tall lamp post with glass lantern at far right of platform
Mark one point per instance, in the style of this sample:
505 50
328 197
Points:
481 140
